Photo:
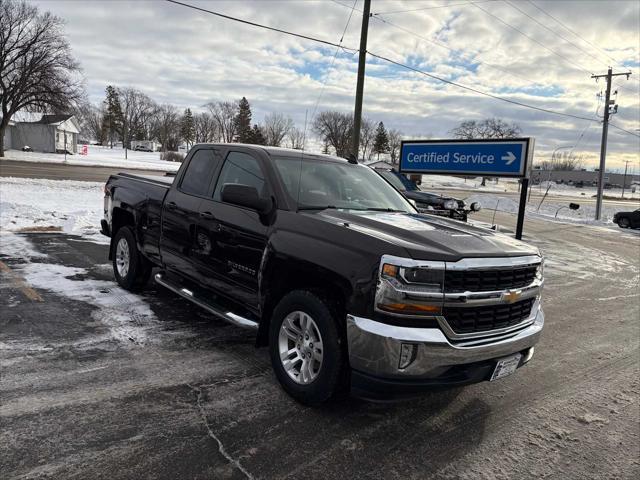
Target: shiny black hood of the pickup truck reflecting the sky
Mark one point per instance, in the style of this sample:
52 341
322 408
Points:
427 237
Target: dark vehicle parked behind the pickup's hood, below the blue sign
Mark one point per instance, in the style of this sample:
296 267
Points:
428 202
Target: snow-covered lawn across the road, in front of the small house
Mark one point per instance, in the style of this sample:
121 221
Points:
99 156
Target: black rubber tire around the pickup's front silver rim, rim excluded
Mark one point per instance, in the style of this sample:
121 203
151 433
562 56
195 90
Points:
329 381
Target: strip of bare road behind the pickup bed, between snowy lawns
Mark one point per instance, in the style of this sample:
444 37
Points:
56 171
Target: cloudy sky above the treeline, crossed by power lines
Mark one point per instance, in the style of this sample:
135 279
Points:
541 53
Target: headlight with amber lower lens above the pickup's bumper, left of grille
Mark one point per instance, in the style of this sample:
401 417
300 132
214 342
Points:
406 288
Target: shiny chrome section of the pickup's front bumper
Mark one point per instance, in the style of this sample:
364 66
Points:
375 348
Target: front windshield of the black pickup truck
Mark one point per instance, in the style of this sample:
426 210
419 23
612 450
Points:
324 184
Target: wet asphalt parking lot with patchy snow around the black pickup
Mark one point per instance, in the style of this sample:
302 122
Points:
99 383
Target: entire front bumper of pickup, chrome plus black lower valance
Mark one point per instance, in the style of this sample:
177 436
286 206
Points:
375 356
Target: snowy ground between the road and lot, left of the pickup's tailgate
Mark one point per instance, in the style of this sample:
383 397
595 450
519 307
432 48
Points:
63 205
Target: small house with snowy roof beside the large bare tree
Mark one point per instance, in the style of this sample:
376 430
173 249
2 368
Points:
50 133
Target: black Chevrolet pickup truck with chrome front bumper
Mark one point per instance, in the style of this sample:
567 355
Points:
344 281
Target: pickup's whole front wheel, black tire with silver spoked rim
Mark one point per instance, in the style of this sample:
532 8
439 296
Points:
306 347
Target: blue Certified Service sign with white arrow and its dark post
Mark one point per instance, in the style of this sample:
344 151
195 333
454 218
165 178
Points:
488 158
